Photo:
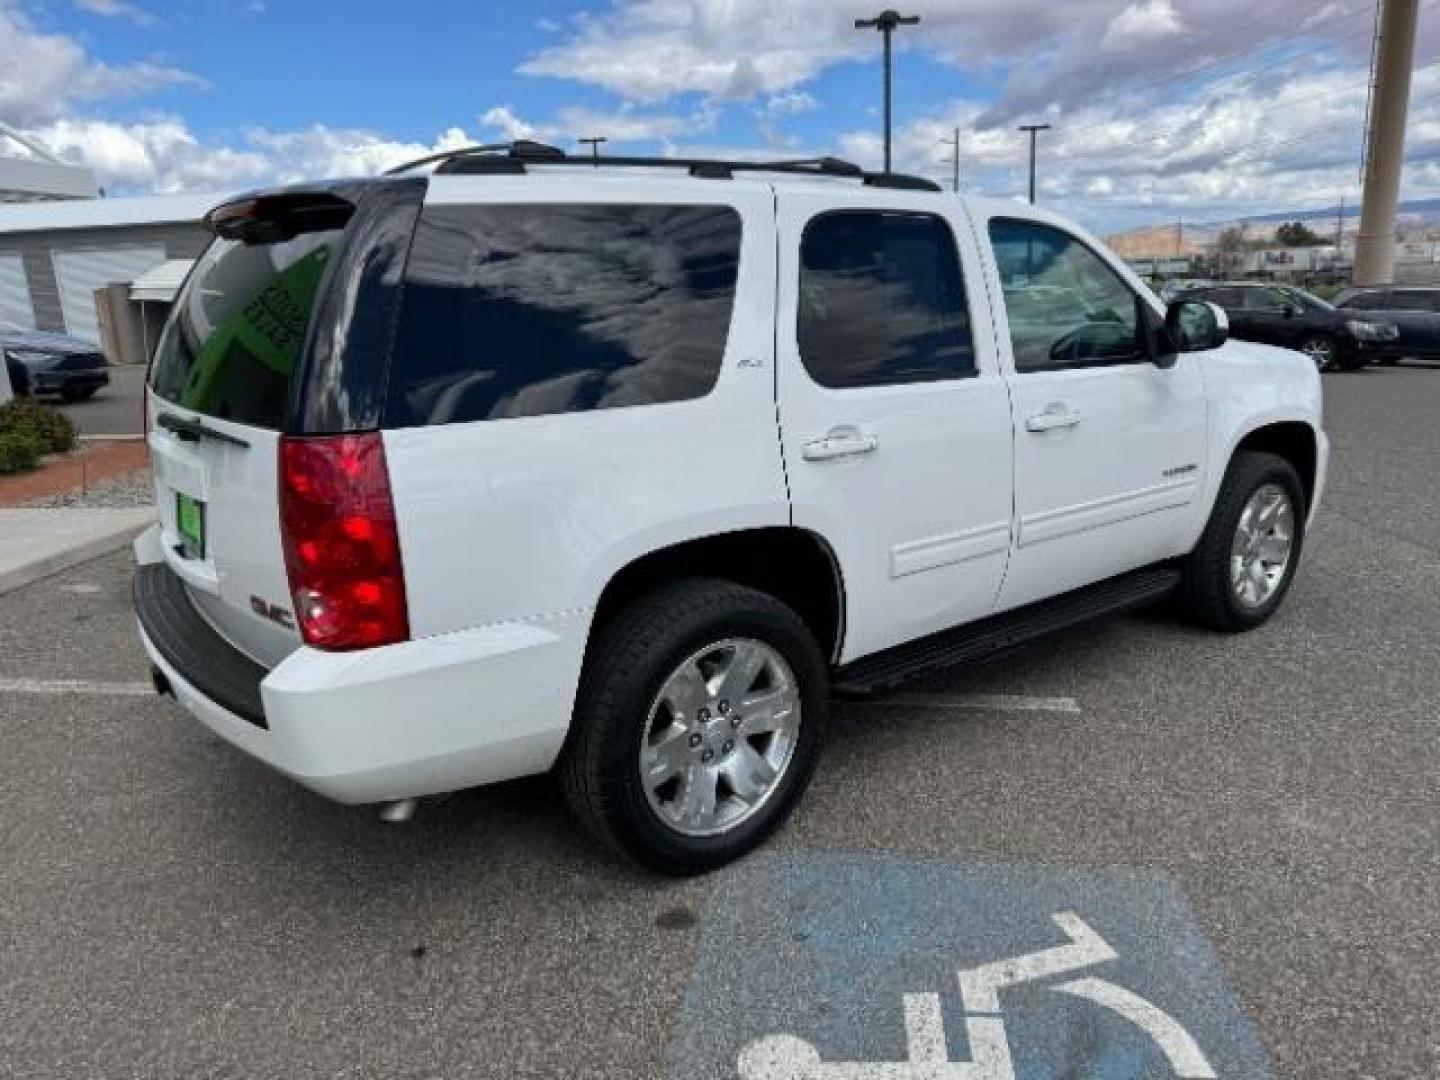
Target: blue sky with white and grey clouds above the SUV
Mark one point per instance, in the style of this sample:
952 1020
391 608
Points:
1161 109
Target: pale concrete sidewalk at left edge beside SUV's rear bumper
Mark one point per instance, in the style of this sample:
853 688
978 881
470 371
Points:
37 544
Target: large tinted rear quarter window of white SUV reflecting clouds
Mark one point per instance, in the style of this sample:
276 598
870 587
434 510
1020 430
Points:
534 310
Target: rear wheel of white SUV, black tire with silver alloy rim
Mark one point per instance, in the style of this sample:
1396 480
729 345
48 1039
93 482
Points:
698 725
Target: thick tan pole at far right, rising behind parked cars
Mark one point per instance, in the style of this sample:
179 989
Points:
1386 145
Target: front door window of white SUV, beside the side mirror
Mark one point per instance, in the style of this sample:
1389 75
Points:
1066 306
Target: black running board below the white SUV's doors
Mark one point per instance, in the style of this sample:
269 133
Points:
886 670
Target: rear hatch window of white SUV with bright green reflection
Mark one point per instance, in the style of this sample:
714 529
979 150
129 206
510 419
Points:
234 341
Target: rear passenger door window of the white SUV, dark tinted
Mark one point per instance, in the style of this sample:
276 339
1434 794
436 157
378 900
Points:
882 300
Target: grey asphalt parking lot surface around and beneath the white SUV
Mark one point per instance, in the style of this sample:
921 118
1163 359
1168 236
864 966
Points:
1249 824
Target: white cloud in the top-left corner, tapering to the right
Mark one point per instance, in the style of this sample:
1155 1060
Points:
45 76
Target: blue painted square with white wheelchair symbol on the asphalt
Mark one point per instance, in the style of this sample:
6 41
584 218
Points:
858 968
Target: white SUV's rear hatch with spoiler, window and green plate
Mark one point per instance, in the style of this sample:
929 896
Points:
227 384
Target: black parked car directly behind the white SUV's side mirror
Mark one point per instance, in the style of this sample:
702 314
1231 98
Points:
1291 318
